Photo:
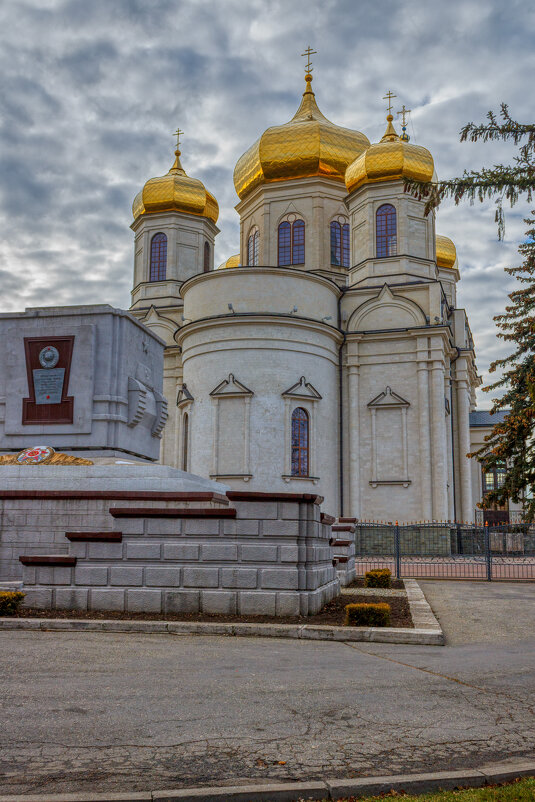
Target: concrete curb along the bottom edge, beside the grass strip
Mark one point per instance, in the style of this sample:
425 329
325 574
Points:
490 774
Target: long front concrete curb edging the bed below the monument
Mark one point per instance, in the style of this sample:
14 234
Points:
427 637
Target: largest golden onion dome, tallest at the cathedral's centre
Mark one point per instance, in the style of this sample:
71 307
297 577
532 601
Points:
308 145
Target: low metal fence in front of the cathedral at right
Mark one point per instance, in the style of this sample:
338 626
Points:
447 550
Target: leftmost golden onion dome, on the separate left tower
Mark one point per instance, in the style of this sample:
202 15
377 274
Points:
175 192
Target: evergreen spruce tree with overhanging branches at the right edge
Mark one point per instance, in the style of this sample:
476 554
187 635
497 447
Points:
511 443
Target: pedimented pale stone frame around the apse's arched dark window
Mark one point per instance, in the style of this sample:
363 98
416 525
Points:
301 394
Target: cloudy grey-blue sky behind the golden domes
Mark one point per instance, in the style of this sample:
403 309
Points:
92 90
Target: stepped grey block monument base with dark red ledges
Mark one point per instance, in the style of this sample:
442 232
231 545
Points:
150 538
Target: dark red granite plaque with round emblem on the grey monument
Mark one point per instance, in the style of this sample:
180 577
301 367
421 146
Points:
48 365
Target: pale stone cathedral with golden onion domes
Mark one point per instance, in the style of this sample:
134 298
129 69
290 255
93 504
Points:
329 355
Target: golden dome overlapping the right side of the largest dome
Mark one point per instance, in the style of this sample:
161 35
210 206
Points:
389 159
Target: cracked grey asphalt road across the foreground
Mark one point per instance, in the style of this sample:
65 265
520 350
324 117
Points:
113 712
